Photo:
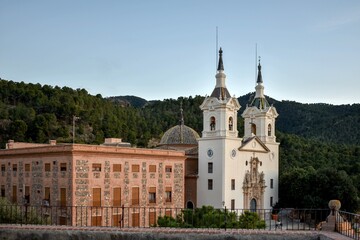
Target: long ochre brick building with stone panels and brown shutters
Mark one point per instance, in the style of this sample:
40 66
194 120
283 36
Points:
102 179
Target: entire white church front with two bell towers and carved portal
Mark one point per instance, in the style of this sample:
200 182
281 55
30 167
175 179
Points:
234 172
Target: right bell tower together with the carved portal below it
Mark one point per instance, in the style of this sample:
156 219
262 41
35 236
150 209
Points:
260 186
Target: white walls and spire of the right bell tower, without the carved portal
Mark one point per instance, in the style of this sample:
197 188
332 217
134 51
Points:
259 122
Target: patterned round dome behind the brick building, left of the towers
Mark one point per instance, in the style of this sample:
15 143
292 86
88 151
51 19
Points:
180 134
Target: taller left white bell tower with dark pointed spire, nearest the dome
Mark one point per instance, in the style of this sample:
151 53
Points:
218 144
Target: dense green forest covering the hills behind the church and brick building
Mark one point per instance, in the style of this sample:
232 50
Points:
319 143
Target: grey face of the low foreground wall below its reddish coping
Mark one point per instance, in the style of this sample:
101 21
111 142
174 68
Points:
148 235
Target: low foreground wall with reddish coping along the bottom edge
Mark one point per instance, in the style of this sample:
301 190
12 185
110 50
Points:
46 232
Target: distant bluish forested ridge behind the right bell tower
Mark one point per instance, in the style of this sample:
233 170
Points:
325 122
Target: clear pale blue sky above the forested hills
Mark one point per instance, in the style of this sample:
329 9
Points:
167 48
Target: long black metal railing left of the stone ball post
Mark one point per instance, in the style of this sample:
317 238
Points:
144 217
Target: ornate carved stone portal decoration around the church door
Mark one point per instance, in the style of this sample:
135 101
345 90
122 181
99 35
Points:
254 186
